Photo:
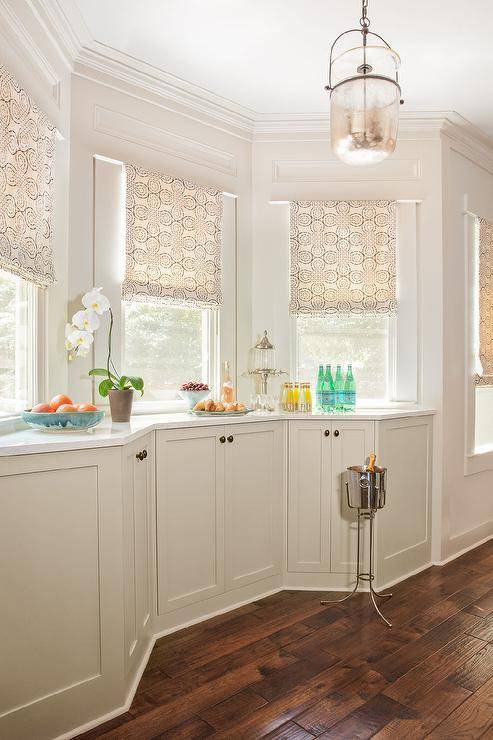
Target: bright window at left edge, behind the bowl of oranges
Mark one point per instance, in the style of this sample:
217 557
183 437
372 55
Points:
17 300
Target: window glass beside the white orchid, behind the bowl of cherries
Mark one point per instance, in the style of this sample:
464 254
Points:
164 344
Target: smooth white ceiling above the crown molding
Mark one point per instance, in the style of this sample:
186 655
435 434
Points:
270 56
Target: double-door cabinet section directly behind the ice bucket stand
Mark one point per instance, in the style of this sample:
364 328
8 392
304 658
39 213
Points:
321 527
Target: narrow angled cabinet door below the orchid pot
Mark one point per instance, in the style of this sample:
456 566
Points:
138 464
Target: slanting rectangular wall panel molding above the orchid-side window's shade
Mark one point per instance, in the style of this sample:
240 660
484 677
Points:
136 131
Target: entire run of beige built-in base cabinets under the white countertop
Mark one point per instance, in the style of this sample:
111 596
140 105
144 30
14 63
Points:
102 549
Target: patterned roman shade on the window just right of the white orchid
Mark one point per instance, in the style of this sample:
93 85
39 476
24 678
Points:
173 240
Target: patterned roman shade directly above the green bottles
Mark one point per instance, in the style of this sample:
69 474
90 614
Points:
342 257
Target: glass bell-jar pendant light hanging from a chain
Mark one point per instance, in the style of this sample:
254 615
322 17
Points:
364 95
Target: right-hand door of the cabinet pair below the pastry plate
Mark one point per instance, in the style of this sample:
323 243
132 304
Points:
253 502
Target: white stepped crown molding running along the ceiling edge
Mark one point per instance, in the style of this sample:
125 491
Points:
106 65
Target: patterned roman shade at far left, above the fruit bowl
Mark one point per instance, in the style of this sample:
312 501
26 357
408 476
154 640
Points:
27 154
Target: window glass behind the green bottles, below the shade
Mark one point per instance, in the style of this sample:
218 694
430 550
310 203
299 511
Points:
362 341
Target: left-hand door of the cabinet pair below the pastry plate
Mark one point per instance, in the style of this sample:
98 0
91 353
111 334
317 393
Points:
190 516
